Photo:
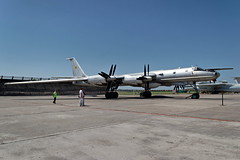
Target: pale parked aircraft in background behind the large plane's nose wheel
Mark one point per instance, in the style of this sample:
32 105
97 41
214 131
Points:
221 87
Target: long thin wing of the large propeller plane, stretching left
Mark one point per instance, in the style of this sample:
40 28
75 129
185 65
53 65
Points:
49 81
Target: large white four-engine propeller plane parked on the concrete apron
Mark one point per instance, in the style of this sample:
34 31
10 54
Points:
147 79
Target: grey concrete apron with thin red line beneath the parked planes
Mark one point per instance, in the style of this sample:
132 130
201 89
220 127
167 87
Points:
165 127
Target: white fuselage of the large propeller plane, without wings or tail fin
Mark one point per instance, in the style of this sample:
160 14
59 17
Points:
180 76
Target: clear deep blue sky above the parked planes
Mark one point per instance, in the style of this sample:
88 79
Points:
36 36
